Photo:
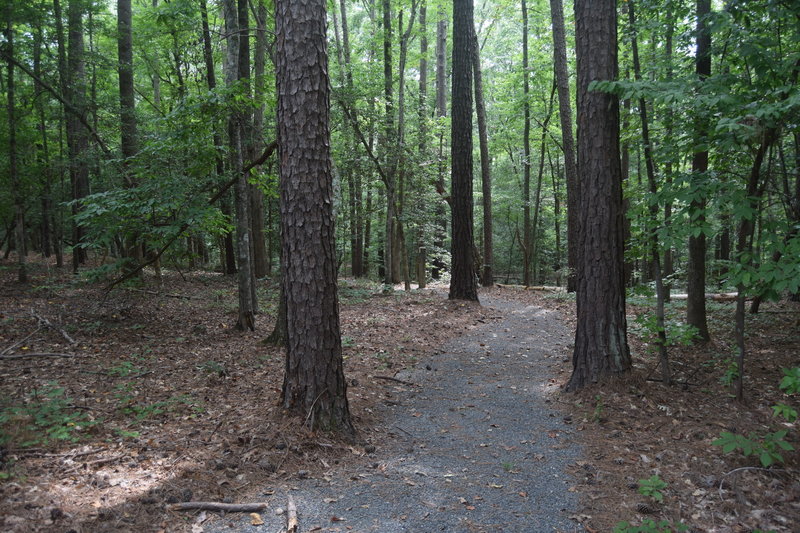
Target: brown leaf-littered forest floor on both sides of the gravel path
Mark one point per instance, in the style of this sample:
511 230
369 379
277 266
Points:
161 401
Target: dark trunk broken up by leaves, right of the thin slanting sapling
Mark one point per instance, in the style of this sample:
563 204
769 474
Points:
696 275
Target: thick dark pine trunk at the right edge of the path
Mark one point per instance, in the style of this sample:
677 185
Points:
601 346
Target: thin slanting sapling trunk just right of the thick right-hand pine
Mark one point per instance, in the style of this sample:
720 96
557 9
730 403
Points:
650 165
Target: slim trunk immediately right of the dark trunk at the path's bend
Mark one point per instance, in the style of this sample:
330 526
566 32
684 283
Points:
487 276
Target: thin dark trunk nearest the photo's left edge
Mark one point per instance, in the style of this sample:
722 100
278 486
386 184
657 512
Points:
19 207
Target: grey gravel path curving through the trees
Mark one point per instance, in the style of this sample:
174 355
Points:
476 446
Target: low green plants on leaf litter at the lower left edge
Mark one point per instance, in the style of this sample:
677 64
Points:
47 416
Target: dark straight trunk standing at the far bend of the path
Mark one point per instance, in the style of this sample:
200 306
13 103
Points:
463 281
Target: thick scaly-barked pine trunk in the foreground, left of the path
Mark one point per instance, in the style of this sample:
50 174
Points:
314 386
